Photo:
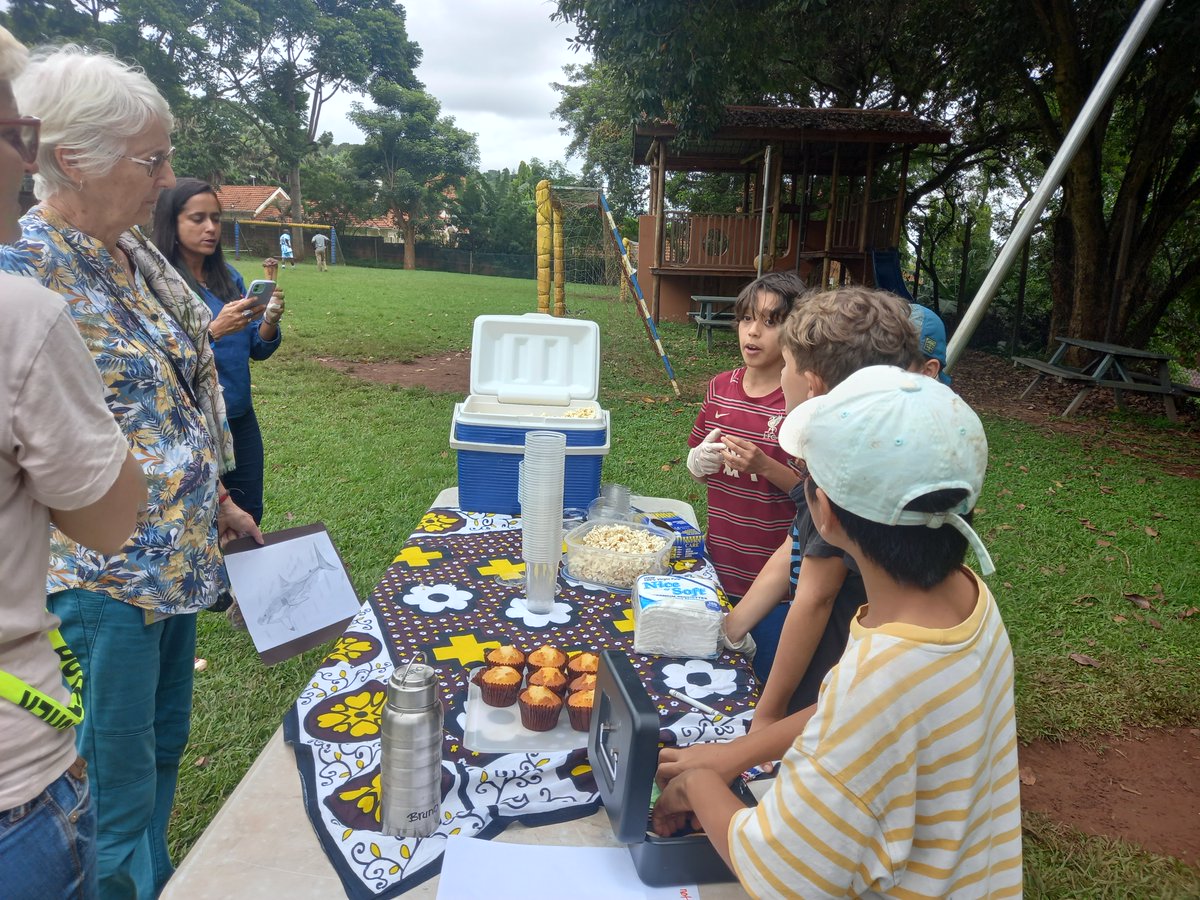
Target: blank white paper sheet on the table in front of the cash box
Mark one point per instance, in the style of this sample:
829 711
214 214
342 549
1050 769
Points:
475 868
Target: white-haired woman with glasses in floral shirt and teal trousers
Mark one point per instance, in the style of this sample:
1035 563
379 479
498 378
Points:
104 159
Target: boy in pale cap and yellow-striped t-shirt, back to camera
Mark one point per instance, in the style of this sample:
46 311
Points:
905 781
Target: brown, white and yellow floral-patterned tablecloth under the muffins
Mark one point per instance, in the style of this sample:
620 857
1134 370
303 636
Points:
442 596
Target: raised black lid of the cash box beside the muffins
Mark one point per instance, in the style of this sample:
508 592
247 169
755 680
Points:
623 746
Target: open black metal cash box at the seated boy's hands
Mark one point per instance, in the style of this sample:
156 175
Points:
623 749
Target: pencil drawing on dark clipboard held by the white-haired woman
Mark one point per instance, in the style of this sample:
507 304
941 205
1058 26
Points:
295 591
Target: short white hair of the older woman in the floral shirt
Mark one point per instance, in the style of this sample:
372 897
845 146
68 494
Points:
91 104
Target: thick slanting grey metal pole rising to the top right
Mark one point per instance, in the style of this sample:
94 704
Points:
1084 123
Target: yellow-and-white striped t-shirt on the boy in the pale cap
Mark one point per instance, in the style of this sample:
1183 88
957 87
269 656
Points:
904 783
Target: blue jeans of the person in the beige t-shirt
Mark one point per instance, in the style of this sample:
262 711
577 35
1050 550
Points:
49 845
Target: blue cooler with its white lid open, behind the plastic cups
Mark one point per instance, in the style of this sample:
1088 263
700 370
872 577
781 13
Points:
527 374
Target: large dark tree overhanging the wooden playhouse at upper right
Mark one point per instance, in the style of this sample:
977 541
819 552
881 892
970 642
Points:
1006 77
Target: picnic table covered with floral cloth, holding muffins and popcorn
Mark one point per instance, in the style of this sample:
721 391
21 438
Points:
446 593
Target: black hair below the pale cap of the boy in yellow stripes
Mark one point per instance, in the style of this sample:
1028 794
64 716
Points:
916 556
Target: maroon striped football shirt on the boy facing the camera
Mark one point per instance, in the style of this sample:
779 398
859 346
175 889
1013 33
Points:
748 520
